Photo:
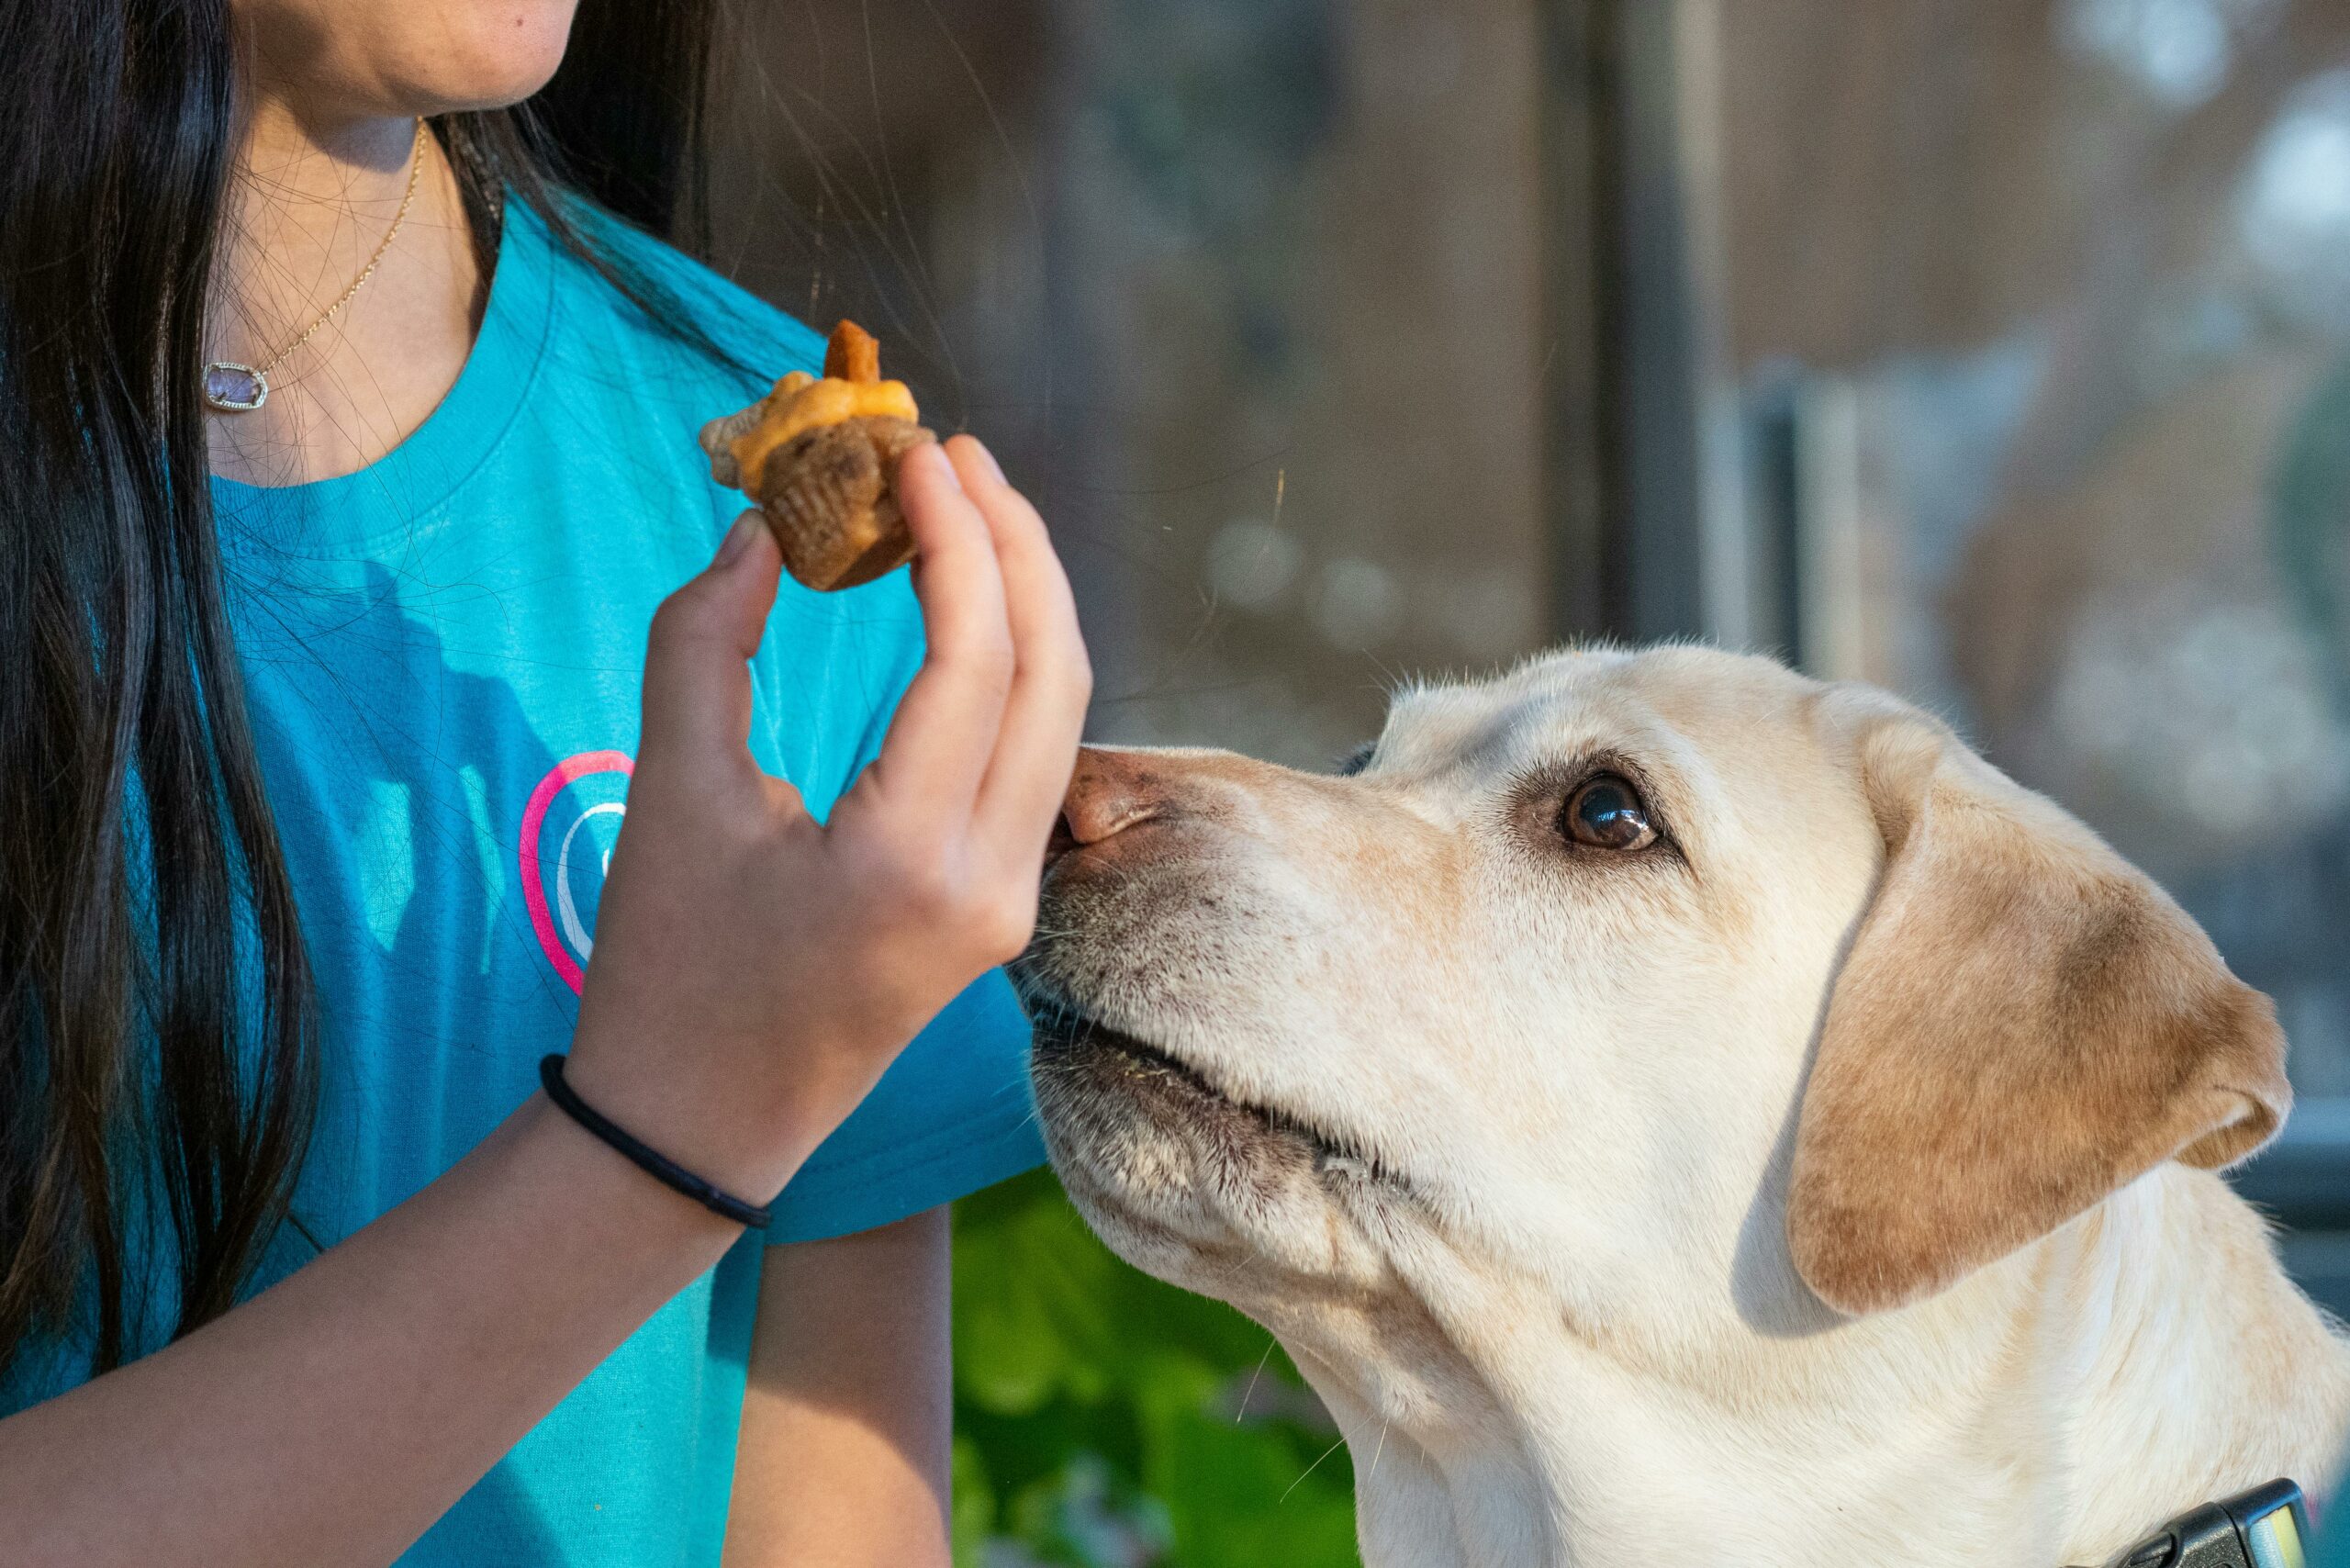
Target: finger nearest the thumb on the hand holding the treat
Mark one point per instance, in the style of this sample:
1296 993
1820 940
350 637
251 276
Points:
946 730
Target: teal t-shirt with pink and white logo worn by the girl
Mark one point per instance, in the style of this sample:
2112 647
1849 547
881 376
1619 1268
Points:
443 662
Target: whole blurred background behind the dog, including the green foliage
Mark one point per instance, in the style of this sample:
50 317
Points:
1996 351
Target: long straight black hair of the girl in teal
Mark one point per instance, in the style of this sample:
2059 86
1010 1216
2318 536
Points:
156 1014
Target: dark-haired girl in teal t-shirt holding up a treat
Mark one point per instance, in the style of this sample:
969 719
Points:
361 575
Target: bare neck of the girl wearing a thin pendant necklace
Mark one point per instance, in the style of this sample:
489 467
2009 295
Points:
309 203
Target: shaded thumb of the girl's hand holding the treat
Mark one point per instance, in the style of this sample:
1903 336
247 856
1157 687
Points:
697 659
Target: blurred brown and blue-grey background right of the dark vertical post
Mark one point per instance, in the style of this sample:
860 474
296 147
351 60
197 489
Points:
2069 283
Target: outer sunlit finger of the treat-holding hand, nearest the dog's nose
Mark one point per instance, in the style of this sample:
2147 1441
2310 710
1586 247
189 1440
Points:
1052 678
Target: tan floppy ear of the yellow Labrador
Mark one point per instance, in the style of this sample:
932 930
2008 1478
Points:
2022 1026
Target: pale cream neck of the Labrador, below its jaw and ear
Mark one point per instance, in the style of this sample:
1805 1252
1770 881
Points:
2006 1421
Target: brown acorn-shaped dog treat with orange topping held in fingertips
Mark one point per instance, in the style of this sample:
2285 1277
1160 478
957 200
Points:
819 457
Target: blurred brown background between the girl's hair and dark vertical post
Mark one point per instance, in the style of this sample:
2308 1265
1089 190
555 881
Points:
1244 290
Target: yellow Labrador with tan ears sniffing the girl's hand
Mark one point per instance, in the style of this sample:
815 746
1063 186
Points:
1684 1113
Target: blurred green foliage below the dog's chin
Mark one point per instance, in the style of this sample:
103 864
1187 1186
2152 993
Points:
1108 1421
